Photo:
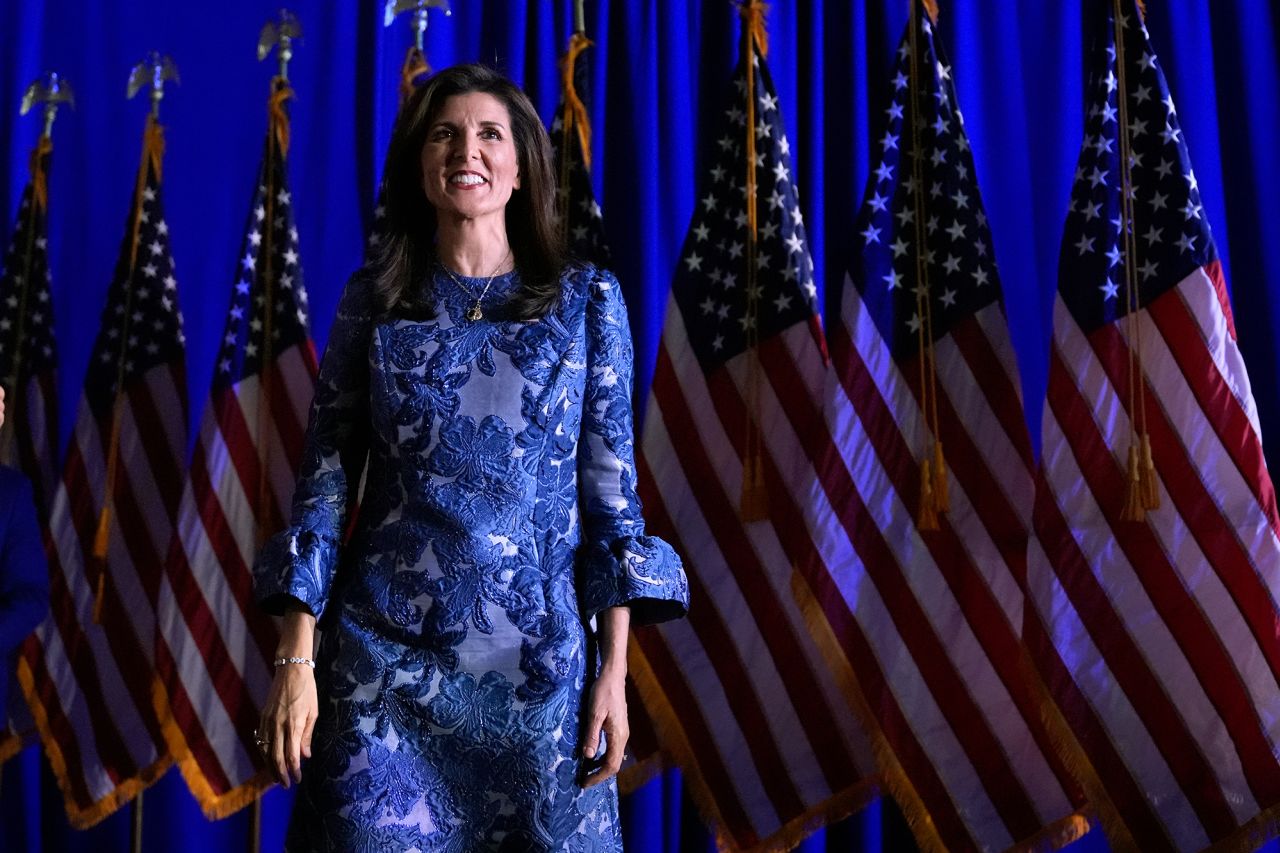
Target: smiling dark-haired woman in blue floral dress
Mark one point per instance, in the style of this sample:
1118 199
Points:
463 699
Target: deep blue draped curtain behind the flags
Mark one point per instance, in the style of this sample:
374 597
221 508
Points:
659 69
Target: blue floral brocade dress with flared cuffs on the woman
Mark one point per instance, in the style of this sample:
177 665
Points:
499 518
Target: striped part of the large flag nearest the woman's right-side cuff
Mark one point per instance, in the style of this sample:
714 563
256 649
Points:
764 723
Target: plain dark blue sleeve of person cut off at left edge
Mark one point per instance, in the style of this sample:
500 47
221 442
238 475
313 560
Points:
24 572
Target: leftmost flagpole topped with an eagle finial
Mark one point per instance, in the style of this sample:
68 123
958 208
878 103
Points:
51 92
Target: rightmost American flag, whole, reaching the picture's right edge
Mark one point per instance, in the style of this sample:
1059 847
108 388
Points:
1158 637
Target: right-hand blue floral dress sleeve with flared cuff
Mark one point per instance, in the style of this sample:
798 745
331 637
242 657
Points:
619 565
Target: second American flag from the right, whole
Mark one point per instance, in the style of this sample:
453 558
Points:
929 617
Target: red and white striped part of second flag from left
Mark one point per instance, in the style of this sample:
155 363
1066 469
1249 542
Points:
89 683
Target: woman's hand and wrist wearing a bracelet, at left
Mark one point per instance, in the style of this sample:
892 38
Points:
292 705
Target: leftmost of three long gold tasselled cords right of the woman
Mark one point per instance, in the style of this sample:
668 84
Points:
755 505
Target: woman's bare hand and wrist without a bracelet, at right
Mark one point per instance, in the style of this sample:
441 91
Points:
607 701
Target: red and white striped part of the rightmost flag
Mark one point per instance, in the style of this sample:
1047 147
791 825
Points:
1160 637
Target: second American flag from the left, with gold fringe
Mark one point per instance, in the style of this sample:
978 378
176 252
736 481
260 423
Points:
89 669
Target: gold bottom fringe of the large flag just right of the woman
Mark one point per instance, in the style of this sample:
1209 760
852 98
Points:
671 737
